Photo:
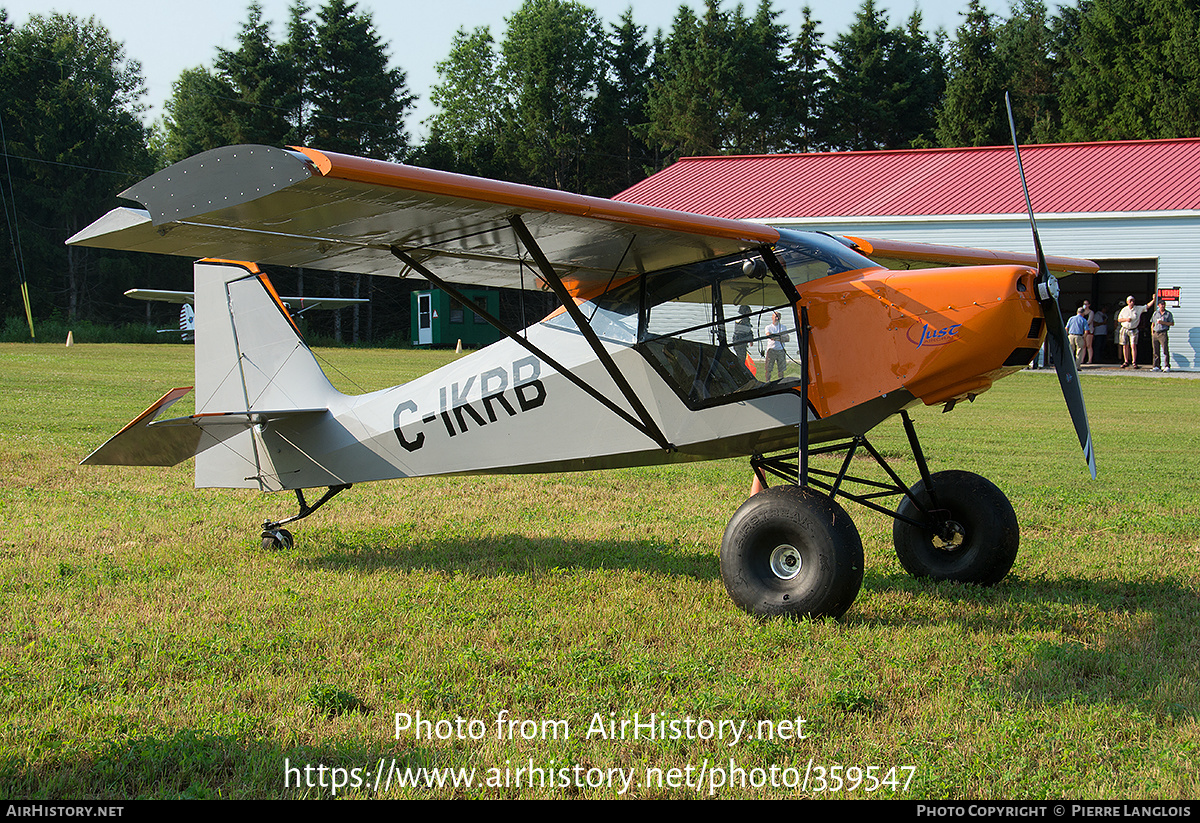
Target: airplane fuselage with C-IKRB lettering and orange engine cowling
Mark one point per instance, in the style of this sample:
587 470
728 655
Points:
880 341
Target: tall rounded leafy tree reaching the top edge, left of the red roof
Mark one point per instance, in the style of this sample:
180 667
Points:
554 62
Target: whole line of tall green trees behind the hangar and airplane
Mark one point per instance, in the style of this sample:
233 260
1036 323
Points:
559 99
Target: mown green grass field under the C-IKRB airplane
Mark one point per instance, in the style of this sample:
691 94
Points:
151 647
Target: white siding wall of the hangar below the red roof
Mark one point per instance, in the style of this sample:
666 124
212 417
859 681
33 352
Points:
1173 239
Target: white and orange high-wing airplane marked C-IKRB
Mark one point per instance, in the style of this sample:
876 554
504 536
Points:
651 358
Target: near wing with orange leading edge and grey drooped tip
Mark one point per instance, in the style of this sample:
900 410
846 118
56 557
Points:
337 213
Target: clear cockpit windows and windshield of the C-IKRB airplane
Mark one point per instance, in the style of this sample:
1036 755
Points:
722 329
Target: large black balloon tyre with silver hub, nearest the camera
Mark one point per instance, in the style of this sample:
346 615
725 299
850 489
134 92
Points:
793 551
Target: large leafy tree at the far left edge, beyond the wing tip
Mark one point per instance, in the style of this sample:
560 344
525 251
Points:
75 137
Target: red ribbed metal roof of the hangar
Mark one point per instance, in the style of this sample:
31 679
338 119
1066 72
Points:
1069 178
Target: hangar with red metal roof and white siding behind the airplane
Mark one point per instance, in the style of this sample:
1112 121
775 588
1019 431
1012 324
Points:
1133 207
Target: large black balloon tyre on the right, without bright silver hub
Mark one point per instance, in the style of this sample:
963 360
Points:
974 536
